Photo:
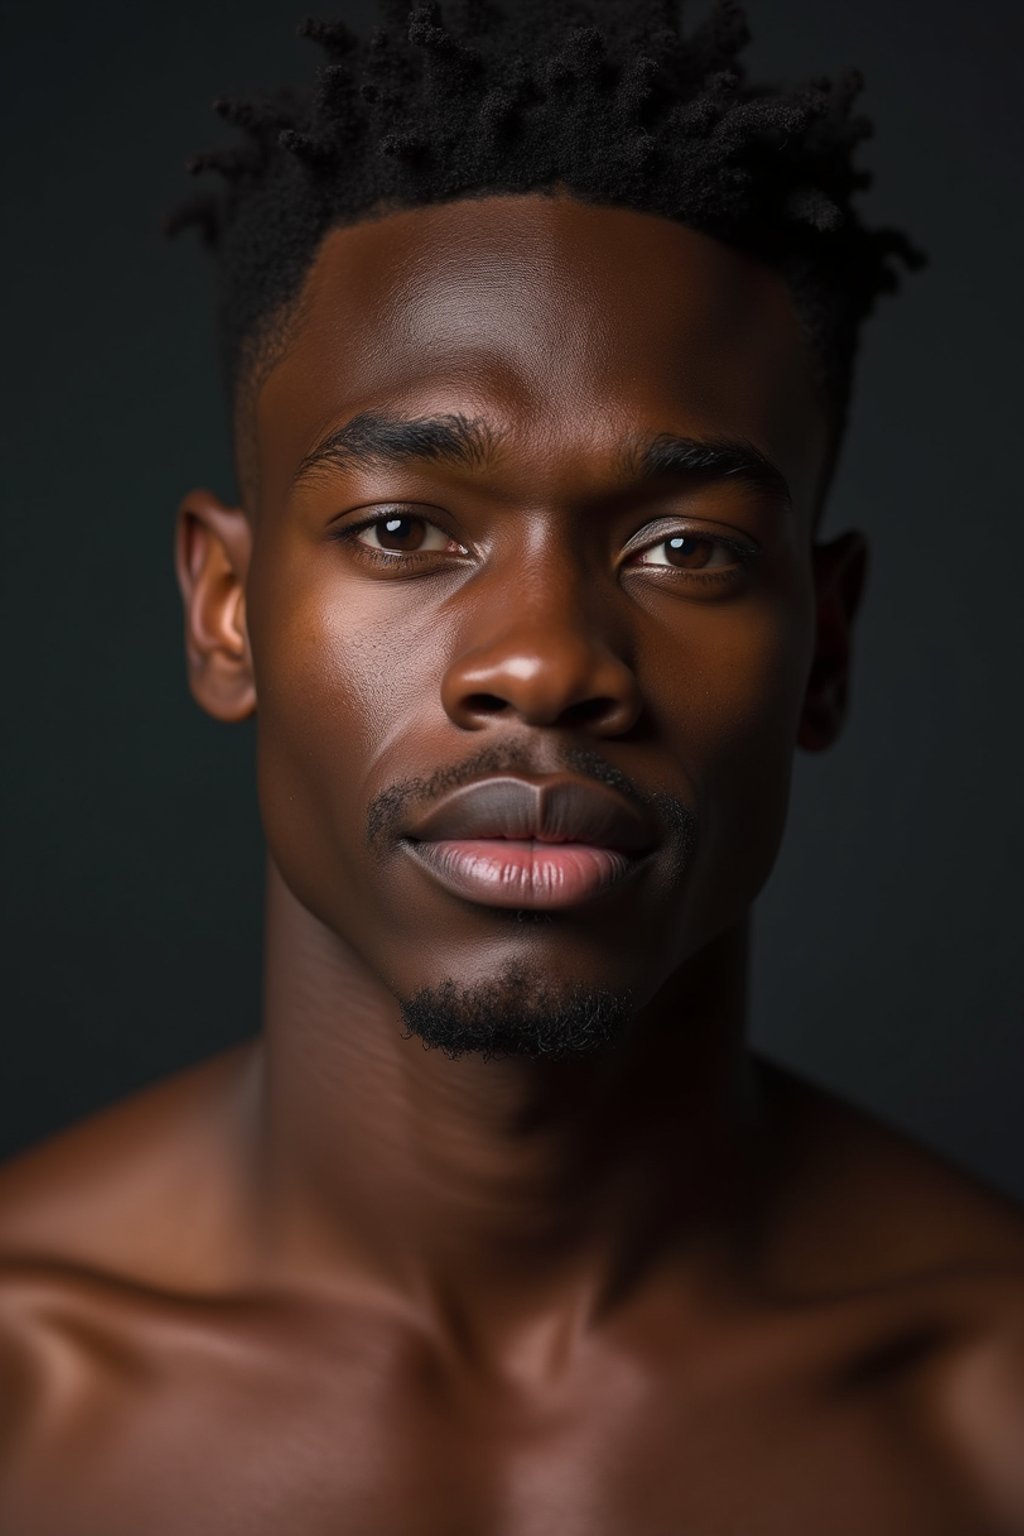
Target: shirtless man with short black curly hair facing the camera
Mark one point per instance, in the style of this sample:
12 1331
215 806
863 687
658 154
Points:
540 339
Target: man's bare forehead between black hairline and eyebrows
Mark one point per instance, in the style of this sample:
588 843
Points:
564 325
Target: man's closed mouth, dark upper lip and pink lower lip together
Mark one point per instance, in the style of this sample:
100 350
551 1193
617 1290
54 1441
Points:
509 842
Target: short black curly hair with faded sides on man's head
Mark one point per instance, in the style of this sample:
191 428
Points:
604 99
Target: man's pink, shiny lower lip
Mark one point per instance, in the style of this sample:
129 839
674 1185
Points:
527 875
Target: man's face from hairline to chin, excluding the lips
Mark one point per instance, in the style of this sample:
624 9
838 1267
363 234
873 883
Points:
526 611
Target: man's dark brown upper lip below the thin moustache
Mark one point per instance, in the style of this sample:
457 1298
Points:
557 810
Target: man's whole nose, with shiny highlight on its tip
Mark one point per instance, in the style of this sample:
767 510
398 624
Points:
544 641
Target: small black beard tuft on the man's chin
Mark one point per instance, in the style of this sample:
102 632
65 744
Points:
517 1015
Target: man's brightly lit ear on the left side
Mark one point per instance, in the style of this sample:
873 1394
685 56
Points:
213 551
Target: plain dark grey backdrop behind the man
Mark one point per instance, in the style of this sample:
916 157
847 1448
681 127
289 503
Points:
888 941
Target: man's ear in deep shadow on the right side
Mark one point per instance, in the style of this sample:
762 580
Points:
841 571
